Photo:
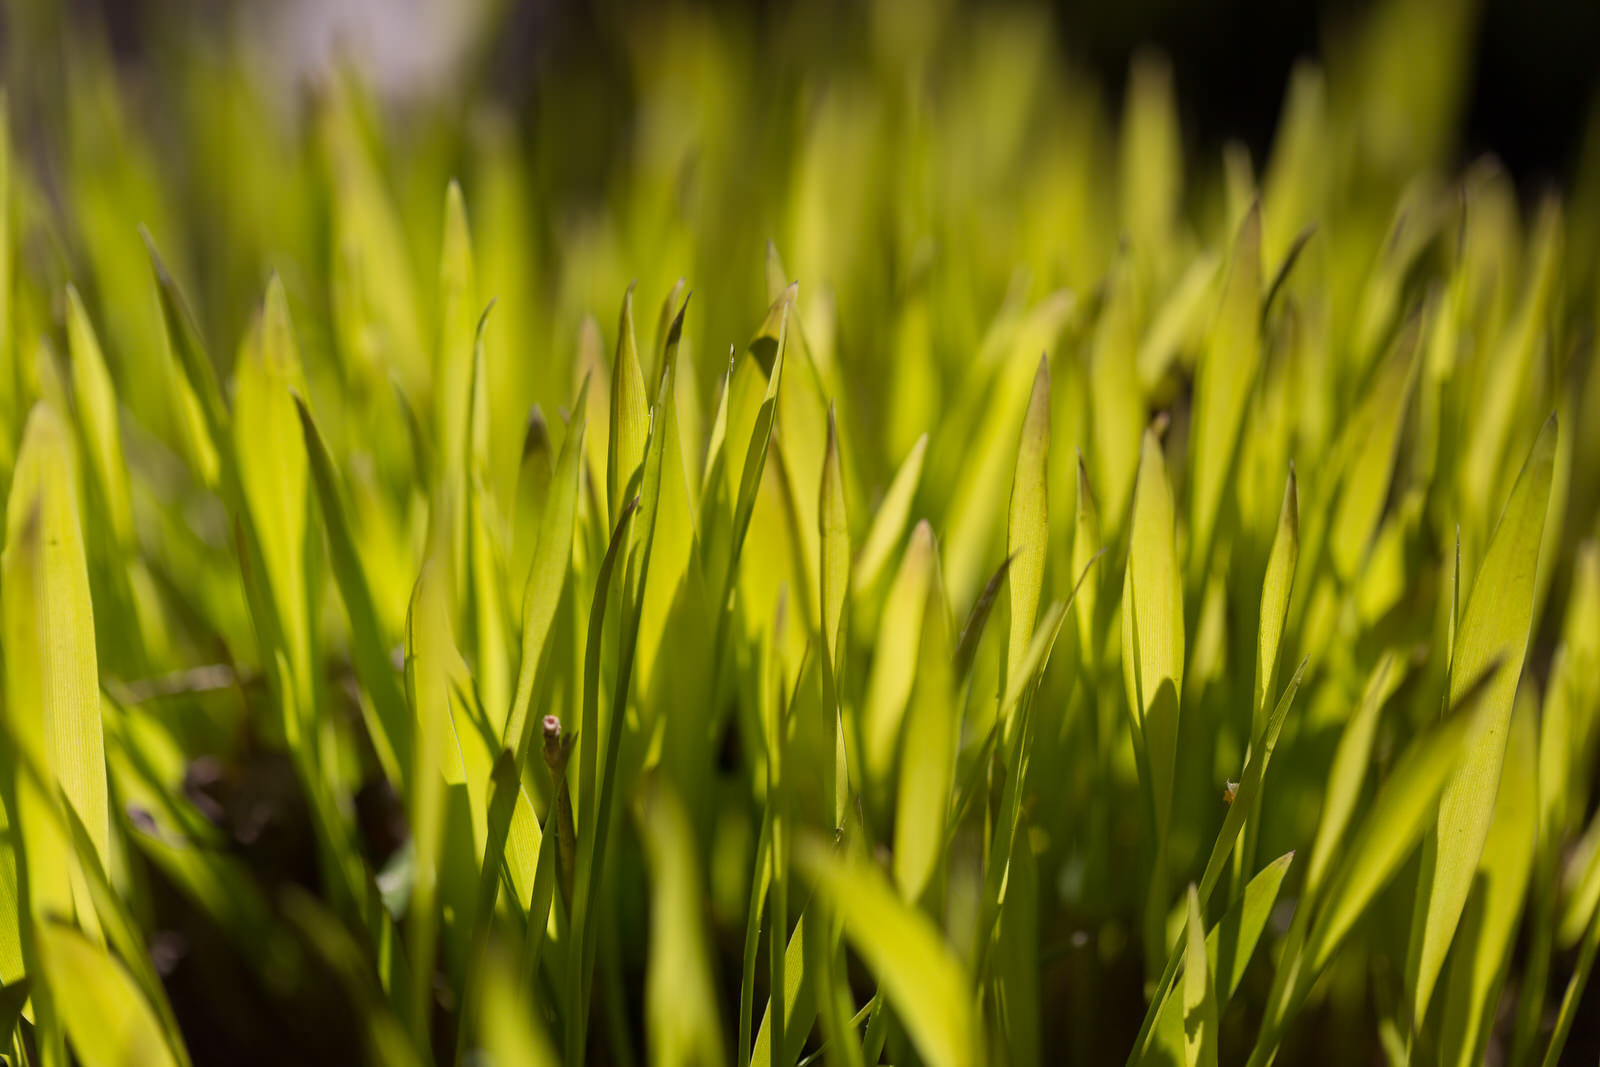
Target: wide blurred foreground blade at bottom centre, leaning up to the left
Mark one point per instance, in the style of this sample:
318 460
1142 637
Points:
926 985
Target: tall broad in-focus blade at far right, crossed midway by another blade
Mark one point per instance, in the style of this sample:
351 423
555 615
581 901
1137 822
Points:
1494 629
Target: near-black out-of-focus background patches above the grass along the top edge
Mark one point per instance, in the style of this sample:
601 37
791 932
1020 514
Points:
1534 82
